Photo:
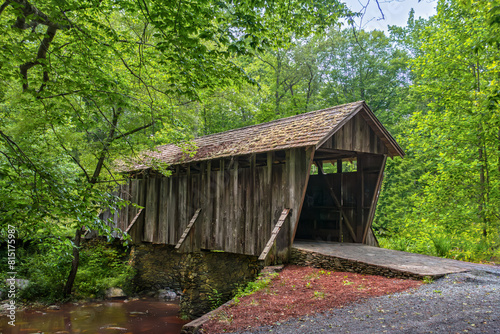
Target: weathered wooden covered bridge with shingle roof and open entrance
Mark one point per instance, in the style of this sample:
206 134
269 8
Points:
255 190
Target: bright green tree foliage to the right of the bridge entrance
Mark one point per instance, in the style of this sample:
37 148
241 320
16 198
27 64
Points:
453 143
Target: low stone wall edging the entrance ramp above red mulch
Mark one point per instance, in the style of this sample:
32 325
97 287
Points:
317 260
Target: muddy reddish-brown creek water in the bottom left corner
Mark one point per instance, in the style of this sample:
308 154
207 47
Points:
109 317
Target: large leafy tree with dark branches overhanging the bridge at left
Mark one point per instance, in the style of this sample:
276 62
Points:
86 82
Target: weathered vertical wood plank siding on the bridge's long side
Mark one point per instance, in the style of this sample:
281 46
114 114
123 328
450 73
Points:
240 203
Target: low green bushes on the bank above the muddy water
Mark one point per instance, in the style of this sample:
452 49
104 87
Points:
45 264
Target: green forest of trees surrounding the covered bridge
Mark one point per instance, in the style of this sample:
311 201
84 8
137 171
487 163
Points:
87 82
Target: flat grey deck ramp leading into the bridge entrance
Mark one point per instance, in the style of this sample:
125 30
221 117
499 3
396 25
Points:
417 264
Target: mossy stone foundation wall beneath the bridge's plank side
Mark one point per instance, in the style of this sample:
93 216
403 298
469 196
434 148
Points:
205 279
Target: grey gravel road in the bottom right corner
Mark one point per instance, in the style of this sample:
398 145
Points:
457 303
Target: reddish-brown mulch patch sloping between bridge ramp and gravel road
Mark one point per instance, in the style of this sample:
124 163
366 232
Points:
299 291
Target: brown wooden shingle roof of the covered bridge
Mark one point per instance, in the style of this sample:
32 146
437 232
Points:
308 129
